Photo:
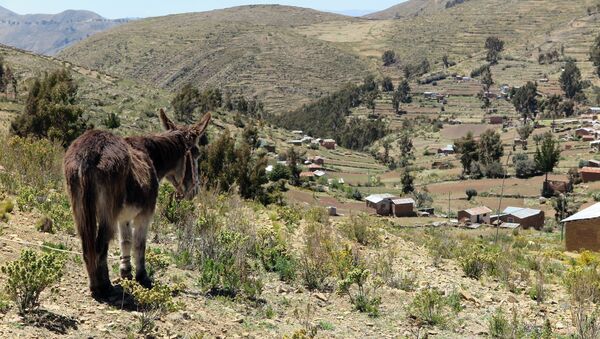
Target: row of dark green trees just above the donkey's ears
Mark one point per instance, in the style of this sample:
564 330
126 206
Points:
190 101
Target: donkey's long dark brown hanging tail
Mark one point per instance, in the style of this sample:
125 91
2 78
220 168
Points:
84 210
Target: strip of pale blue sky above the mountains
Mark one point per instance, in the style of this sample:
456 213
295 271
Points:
145 8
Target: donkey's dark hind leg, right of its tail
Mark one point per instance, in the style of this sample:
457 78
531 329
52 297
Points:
103 287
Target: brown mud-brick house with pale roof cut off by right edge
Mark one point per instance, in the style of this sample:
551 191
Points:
582 229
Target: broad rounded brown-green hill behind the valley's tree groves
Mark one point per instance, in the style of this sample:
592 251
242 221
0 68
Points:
252 50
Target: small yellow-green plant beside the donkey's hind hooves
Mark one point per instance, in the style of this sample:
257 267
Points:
152 303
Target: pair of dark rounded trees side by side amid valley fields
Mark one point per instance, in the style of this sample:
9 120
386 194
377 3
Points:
481 158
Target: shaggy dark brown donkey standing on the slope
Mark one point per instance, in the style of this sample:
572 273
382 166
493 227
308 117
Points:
113 182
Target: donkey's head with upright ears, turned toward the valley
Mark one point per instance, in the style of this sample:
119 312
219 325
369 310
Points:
185 174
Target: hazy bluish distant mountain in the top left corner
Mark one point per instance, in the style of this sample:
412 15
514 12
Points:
49 33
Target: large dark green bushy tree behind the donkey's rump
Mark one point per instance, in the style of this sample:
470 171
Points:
51 110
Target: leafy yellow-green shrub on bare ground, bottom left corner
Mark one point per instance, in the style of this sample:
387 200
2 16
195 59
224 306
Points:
31 274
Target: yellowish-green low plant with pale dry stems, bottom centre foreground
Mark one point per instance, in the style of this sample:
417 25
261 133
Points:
362 297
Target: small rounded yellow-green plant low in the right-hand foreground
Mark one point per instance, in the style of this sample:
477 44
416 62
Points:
428 307
